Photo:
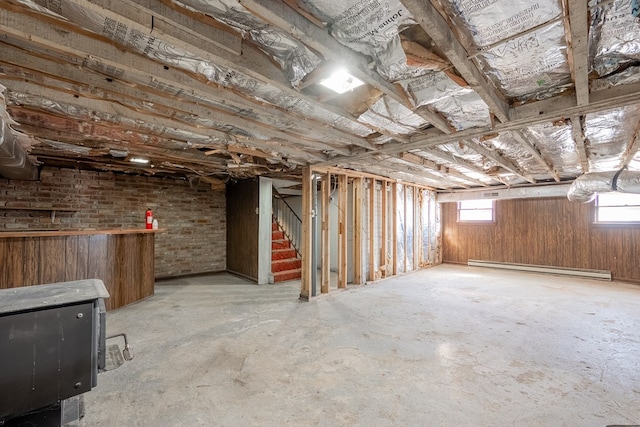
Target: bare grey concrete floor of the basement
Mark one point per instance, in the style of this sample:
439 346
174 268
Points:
447 346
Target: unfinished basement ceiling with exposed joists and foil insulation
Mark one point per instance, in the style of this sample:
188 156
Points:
455 94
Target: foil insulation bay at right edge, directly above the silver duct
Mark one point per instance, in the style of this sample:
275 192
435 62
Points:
609 133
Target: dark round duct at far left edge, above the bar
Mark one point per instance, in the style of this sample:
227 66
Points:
14 159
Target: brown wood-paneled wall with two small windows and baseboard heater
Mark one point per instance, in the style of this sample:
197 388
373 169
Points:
551 231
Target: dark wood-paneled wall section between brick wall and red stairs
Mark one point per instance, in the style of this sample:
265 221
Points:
242 227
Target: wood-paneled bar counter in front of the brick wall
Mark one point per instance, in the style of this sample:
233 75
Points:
122 259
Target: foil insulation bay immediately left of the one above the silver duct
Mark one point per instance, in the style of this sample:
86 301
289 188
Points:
556 144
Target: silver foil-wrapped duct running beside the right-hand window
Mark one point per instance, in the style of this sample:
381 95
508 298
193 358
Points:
586 187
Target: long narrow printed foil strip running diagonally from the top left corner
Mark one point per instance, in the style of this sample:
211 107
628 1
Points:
165 53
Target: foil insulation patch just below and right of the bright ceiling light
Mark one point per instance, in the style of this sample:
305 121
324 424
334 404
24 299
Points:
393 117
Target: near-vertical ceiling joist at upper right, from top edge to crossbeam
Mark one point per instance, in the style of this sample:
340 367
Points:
578 43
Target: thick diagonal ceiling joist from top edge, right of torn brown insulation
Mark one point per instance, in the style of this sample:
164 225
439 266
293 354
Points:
429 18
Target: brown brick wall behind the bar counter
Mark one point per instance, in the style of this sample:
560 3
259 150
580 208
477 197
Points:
194 217
